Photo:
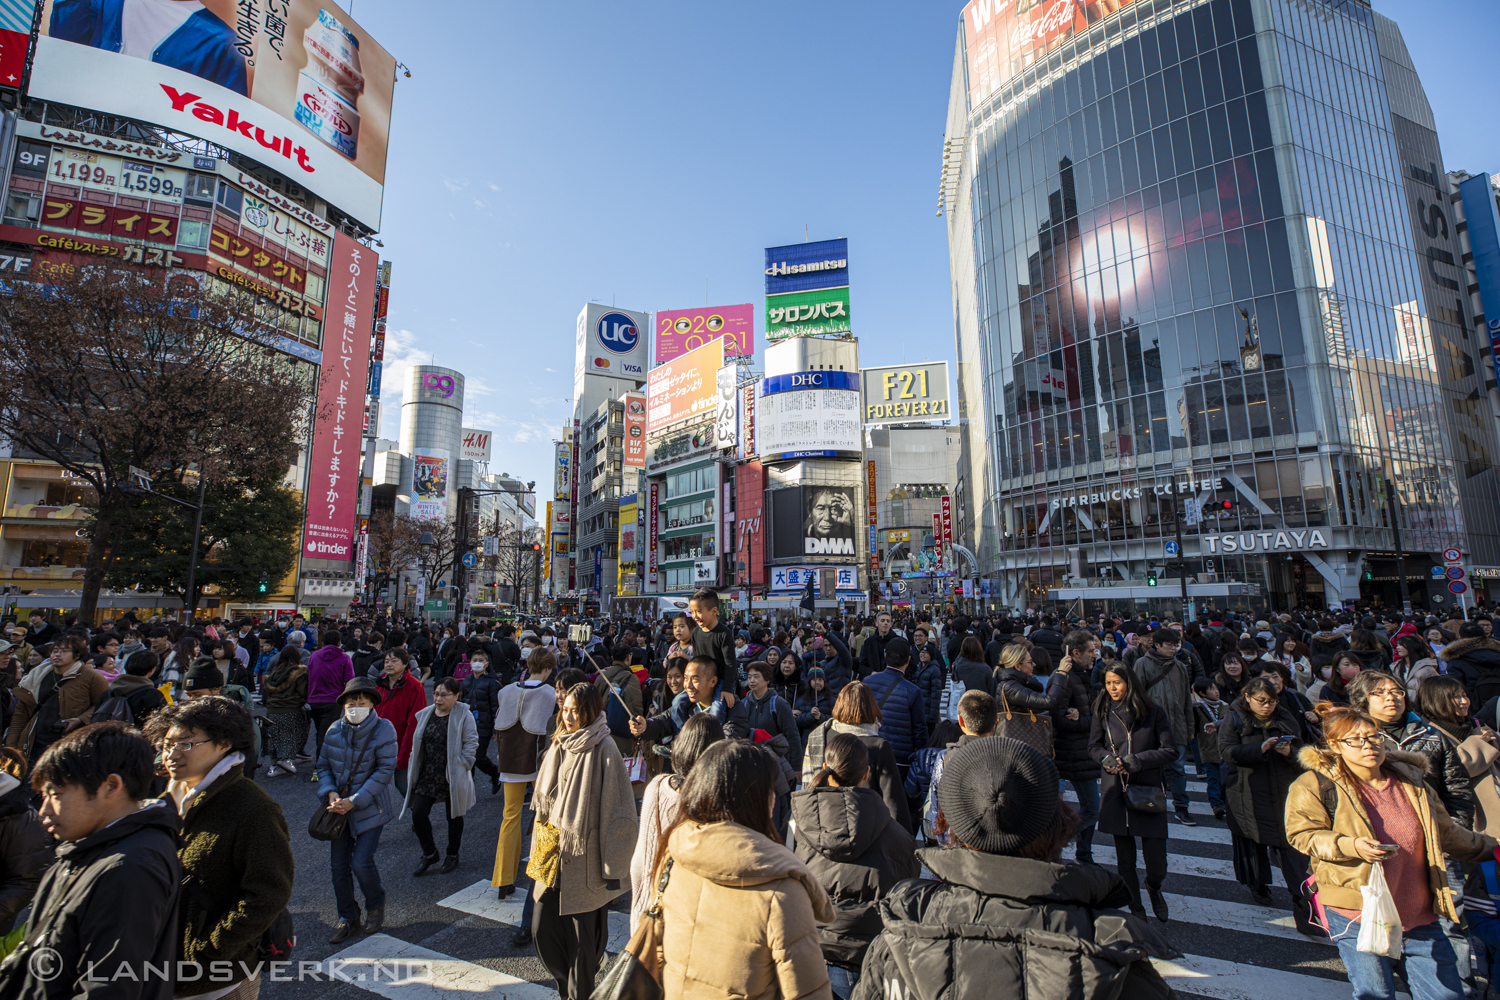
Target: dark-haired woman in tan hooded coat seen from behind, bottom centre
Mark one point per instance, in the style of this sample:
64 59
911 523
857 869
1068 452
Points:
740 911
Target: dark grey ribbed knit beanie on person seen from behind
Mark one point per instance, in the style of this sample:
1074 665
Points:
998 795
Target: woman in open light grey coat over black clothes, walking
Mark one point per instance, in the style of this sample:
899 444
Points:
443 752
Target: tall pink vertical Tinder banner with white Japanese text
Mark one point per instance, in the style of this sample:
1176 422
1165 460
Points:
335 469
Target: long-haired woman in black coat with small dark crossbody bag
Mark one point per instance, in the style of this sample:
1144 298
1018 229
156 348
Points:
1132 740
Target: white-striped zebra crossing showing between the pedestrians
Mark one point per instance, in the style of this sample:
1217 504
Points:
1234 950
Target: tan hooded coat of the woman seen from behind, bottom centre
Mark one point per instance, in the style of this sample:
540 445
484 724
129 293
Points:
742 918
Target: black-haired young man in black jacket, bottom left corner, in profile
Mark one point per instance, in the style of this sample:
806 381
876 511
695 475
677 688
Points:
112 897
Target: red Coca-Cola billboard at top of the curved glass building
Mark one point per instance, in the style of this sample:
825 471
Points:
1003 38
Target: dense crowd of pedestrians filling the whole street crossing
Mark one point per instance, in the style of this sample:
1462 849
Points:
823 809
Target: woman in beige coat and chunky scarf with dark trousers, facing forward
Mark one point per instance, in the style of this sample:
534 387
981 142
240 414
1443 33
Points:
584 792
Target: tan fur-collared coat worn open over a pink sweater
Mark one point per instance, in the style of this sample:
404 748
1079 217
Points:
1330 842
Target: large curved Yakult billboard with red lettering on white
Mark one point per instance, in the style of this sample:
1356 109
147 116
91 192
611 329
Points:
295 85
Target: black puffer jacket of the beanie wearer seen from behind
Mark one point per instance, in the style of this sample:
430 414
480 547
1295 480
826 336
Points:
1012 927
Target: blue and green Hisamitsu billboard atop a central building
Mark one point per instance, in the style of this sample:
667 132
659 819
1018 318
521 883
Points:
808 290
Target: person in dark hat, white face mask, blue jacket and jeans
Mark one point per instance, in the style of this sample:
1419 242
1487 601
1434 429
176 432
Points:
359 758
